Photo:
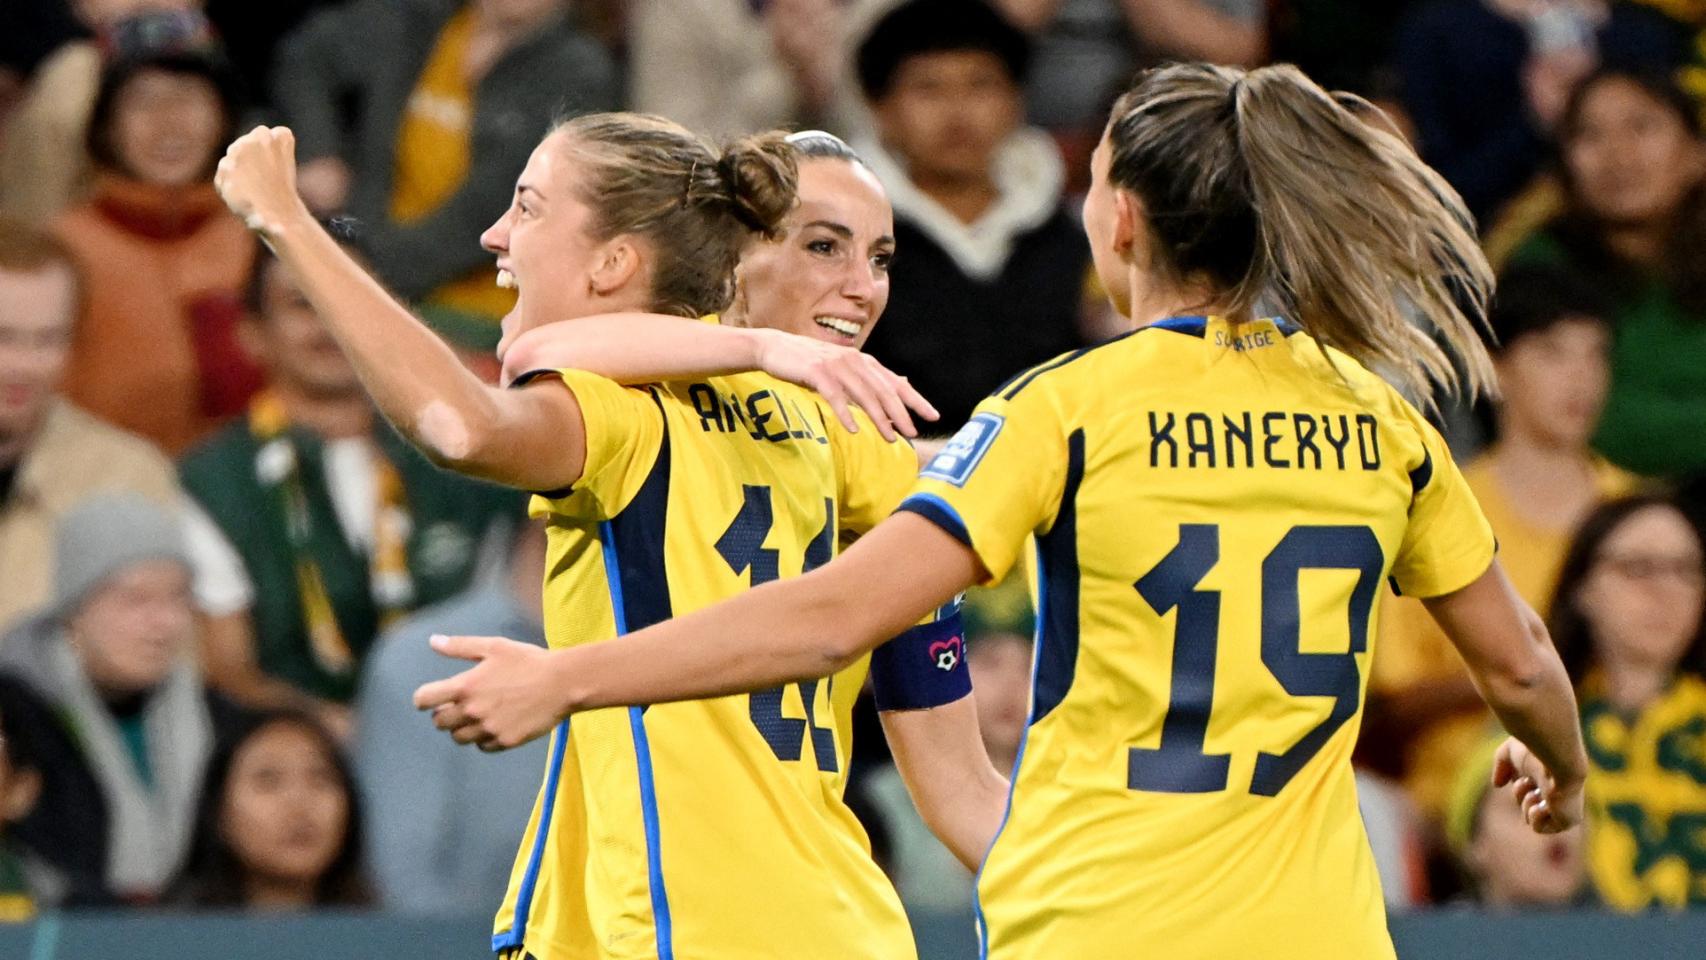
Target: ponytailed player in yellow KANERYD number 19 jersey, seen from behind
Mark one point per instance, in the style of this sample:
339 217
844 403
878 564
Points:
1217 499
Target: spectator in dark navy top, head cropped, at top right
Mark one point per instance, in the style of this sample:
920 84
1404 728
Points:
1487 81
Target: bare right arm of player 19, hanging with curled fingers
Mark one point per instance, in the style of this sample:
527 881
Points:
1516 668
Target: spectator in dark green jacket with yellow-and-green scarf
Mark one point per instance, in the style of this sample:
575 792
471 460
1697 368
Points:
313 524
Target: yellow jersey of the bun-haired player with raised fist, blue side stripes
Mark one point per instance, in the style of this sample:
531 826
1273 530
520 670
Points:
709 828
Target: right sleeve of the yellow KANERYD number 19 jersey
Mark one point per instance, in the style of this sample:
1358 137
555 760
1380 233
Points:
1449 541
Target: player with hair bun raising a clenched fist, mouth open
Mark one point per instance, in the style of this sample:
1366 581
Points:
659 502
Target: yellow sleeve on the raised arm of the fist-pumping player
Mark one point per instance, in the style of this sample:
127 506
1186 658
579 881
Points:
625 434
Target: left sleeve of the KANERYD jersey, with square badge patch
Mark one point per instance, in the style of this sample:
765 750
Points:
999 480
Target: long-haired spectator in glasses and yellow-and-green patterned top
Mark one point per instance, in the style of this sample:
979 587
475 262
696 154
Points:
1628 623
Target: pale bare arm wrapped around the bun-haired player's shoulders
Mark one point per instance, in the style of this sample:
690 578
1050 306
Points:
646 349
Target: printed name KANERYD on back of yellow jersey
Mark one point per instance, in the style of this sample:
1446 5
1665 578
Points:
1287 441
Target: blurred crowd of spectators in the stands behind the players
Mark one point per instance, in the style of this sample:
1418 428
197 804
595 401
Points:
219 569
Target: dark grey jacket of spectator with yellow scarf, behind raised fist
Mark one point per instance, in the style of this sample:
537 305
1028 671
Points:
373 52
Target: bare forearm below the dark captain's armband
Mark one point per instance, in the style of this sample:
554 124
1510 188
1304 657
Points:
948 772
